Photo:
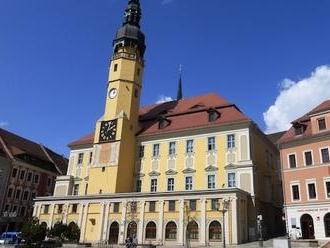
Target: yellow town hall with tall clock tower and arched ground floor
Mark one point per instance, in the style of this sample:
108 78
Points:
194 170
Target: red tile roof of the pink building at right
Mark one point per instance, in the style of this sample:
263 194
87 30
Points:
305 120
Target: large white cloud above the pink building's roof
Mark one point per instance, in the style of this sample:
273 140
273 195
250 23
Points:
297 98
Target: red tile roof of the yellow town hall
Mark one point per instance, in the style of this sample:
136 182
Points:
185 114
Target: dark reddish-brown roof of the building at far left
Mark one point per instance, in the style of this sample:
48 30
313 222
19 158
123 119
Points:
16 146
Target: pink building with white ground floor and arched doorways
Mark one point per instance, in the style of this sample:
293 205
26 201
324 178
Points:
305 161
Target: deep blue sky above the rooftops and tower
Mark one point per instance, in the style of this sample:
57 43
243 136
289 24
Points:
54 58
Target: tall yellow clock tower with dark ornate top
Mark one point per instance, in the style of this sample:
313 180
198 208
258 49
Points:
113 165
